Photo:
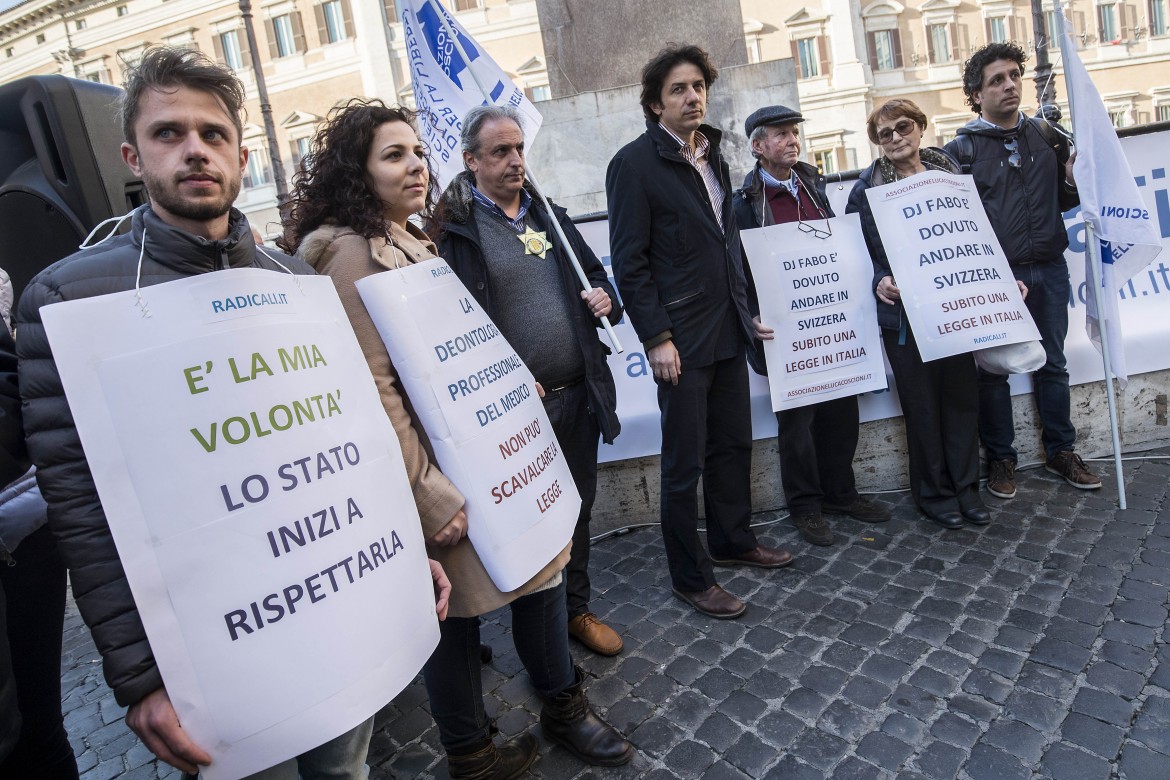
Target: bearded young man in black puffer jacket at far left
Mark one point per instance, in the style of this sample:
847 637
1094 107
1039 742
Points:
182 121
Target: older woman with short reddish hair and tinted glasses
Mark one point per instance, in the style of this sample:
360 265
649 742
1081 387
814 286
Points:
940 399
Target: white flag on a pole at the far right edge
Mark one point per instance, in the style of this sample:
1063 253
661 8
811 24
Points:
1110 202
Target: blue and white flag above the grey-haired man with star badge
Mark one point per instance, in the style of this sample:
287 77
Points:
448 86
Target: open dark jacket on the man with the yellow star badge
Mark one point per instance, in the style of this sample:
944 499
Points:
458 239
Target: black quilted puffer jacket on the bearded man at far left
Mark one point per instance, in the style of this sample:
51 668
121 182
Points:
75 514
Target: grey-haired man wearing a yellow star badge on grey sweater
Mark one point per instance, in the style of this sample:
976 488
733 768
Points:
531 292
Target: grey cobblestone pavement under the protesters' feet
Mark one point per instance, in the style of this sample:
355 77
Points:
1033 648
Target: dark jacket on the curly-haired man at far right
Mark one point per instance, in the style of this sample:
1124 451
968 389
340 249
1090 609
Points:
1026 205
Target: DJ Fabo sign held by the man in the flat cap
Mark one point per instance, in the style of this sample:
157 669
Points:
815 292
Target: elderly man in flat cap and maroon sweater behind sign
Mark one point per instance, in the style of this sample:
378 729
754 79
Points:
817 443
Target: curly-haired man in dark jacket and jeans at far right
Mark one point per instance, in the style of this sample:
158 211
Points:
1024 171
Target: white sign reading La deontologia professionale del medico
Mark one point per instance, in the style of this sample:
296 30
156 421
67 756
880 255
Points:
478 403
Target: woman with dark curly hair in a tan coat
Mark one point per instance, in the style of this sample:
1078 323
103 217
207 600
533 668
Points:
349 218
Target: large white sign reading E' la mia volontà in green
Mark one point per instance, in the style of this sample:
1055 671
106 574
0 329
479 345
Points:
259 502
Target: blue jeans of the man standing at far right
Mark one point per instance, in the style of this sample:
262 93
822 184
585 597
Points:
1048 301
